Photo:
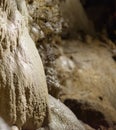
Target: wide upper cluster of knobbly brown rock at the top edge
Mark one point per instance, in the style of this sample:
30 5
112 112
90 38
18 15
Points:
45 19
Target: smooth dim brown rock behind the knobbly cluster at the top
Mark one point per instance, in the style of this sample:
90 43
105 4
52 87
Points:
76 17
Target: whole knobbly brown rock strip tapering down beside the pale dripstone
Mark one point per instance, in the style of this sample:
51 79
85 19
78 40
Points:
45 24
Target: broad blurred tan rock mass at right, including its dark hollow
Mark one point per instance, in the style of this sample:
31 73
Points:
88 74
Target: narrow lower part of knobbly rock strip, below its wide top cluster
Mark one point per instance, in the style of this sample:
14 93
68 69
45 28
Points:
48 54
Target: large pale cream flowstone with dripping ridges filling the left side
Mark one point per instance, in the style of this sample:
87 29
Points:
23 90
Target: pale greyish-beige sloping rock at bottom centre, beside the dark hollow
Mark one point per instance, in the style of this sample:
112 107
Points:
62 117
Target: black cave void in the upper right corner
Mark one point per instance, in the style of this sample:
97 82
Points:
104 17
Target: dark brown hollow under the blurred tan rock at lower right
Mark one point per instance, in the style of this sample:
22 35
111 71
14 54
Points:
85 113
